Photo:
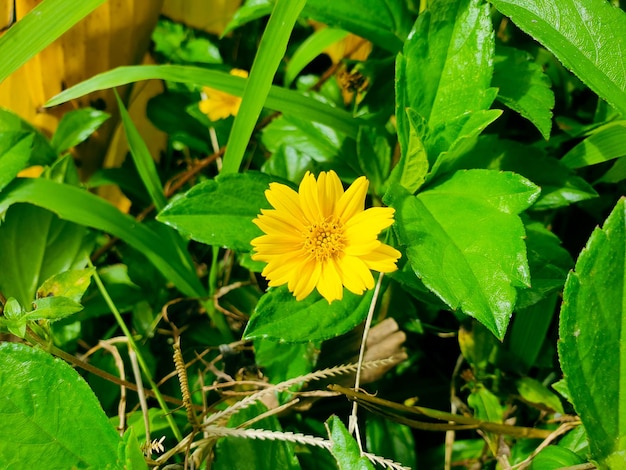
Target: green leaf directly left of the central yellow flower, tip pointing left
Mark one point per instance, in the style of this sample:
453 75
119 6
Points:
220 212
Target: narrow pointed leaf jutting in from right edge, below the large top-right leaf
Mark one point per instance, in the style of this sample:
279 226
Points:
604 144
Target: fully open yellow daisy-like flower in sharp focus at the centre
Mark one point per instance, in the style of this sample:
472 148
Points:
321 237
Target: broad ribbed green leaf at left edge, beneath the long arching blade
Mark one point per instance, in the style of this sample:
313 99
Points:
35 244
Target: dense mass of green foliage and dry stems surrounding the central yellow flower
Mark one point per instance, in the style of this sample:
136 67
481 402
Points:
496 132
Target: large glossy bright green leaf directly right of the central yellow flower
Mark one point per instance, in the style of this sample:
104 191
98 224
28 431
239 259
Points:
465 241
